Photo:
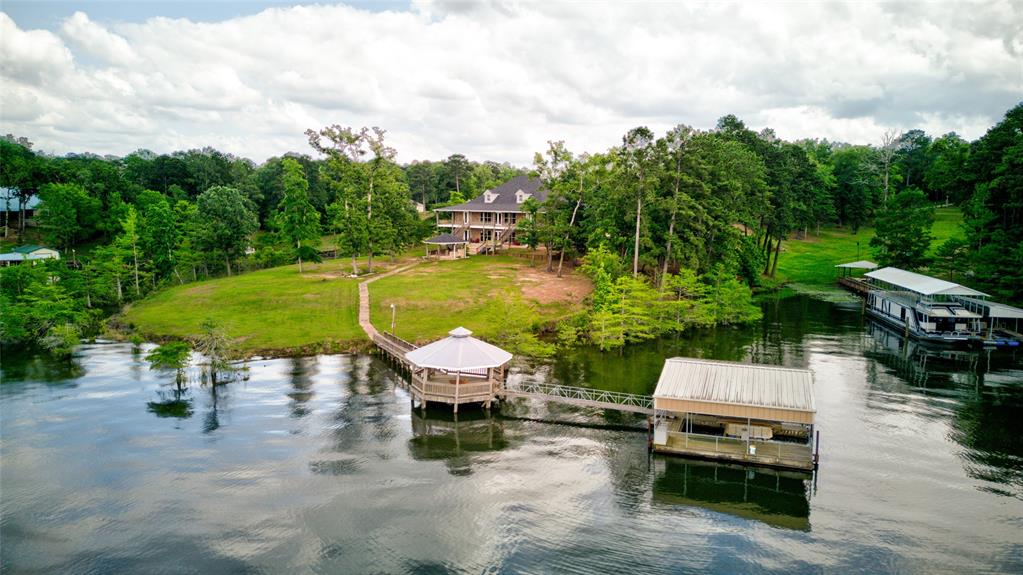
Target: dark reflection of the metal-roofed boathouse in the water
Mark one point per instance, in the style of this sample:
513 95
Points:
776 498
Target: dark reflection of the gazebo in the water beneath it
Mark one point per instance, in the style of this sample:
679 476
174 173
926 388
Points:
456 439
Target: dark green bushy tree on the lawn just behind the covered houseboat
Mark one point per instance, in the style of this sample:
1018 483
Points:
903 234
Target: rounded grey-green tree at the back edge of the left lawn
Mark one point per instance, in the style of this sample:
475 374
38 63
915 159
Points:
225 223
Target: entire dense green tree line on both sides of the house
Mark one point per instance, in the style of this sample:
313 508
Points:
688 220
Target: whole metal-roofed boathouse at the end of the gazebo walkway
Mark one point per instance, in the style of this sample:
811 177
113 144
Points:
761 415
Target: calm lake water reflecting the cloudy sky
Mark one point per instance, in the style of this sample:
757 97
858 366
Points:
318 465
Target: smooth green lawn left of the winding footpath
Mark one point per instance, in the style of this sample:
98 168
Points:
275 311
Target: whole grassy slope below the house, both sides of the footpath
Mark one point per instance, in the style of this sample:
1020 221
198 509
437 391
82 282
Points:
279 312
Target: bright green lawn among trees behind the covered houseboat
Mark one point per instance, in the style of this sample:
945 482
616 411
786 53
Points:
813 261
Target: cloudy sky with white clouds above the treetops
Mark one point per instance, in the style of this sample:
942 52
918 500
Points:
496 80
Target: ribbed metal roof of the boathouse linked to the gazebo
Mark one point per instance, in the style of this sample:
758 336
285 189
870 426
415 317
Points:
730 389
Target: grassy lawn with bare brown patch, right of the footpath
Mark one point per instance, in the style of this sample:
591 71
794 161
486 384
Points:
480 293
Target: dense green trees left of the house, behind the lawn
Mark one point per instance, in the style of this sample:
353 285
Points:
128 226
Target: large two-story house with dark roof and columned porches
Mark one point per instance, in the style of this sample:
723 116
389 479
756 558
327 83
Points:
493 217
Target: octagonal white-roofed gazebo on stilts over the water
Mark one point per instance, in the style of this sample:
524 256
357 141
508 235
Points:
458 370
